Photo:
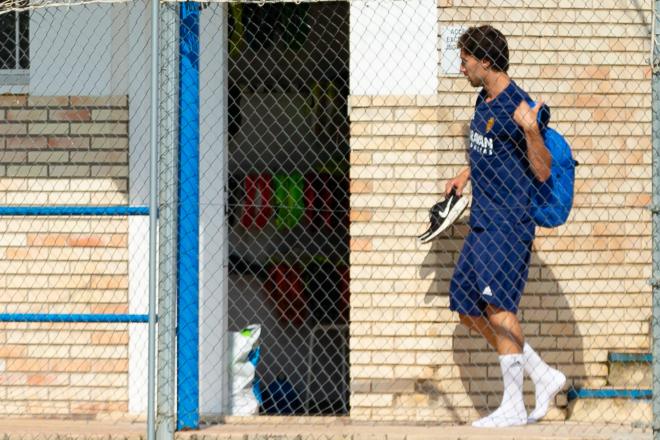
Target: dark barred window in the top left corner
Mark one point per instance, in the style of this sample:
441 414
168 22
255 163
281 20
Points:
14 39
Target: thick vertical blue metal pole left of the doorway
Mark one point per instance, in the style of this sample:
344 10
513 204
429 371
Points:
188 227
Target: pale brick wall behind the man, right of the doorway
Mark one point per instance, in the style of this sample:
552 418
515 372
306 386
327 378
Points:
587 294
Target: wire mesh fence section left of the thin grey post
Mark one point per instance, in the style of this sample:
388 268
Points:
74 340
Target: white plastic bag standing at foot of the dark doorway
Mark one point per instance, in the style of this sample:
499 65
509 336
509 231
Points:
244 354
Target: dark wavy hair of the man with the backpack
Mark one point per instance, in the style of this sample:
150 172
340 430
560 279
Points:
486 43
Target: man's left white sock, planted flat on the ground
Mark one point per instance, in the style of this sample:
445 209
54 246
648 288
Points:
512 409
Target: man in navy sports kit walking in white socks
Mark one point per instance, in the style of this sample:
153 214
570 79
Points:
506 153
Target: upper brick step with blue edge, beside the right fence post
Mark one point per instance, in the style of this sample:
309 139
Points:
630 370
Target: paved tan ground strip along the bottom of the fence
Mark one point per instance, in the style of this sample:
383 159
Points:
309 429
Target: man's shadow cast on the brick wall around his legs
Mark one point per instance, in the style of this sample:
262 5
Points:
473 382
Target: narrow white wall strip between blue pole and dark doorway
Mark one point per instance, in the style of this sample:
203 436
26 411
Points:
213 228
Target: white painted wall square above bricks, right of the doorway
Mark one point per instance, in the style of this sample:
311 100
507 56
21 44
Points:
393 46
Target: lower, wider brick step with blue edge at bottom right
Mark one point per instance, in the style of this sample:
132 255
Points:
610 405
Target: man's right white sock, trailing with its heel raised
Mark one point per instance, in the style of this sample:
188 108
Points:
547 382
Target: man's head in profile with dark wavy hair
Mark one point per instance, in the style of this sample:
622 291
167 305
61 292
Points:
483 50
